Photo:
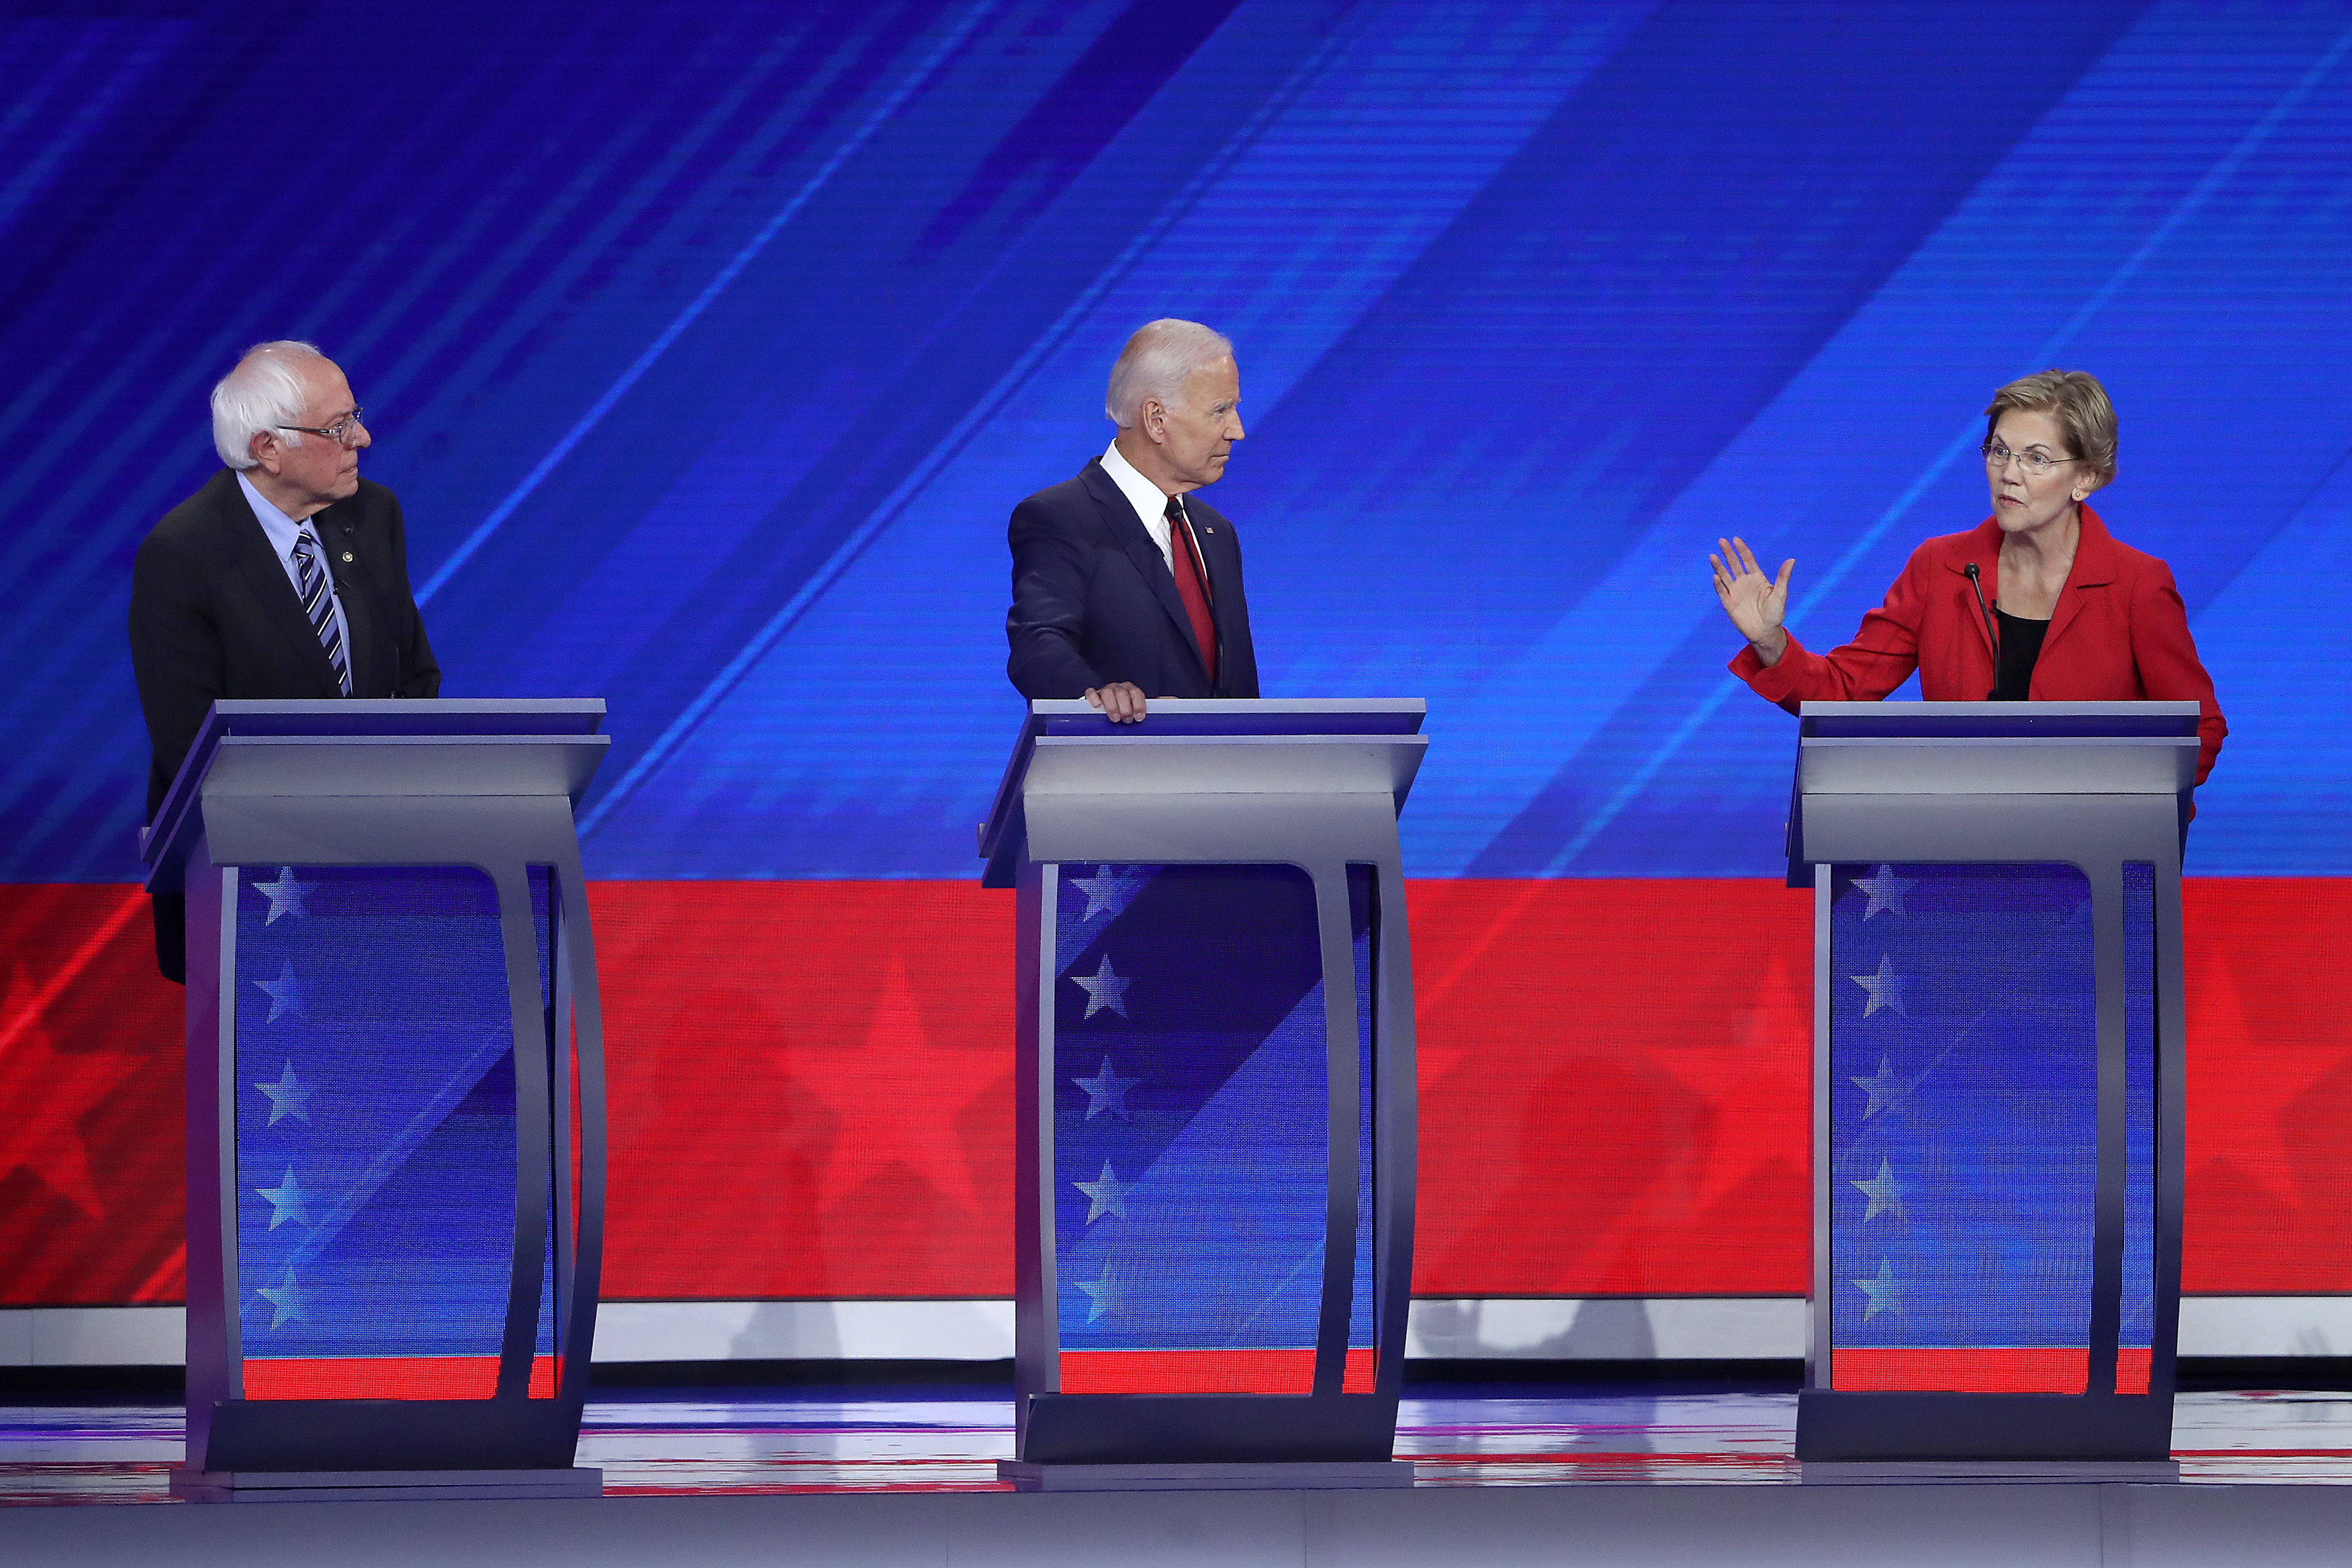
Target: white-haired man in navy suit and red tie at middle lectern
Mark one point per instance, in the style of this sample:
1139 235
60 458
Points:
1123 589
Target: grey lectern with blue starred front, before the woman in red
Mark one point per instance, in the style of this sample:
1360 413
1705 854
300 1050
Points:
1998 1078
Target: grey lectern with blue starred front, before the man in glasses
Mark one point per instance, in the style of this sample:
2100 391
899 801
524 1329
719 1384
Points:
396 1099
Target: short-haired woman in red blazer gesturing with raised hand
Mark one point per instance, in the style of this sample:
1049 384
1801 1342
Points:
2083 617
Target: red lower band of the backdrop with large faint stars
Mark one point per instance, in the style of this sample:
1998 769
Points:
813 1090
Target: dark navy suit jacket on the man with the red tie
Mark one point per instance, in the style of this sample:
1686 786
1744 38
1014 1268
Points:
1095 601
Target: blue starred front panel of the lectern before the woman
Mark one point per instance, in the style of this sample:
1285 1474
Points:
1963 1127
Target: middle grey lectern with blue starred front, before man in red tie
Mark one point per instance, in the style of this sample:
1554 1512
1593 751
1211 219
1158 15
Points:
1215 1090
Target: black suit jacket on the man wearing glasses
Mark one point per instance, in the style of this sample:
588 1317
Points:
215 617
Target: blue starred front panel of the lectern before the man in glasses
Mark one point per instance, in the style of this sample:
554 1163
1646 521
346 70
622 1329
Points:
375 1080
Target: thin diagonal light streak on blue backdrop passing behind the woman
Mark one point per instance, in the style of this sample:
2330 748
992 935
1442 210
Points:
2184 210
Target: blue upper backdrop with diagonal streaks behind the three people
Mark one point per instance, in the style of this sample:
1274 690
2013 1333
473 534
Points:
711 344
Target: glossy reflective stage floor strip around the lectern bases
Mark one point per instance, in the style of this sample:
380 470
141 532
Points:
702 1442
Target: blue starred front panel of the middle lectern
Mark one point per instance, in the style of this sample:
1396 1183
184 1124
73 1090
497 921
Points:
1191 1099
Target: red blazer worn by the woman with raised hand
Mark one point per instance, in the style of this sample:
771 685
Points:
2120 634
